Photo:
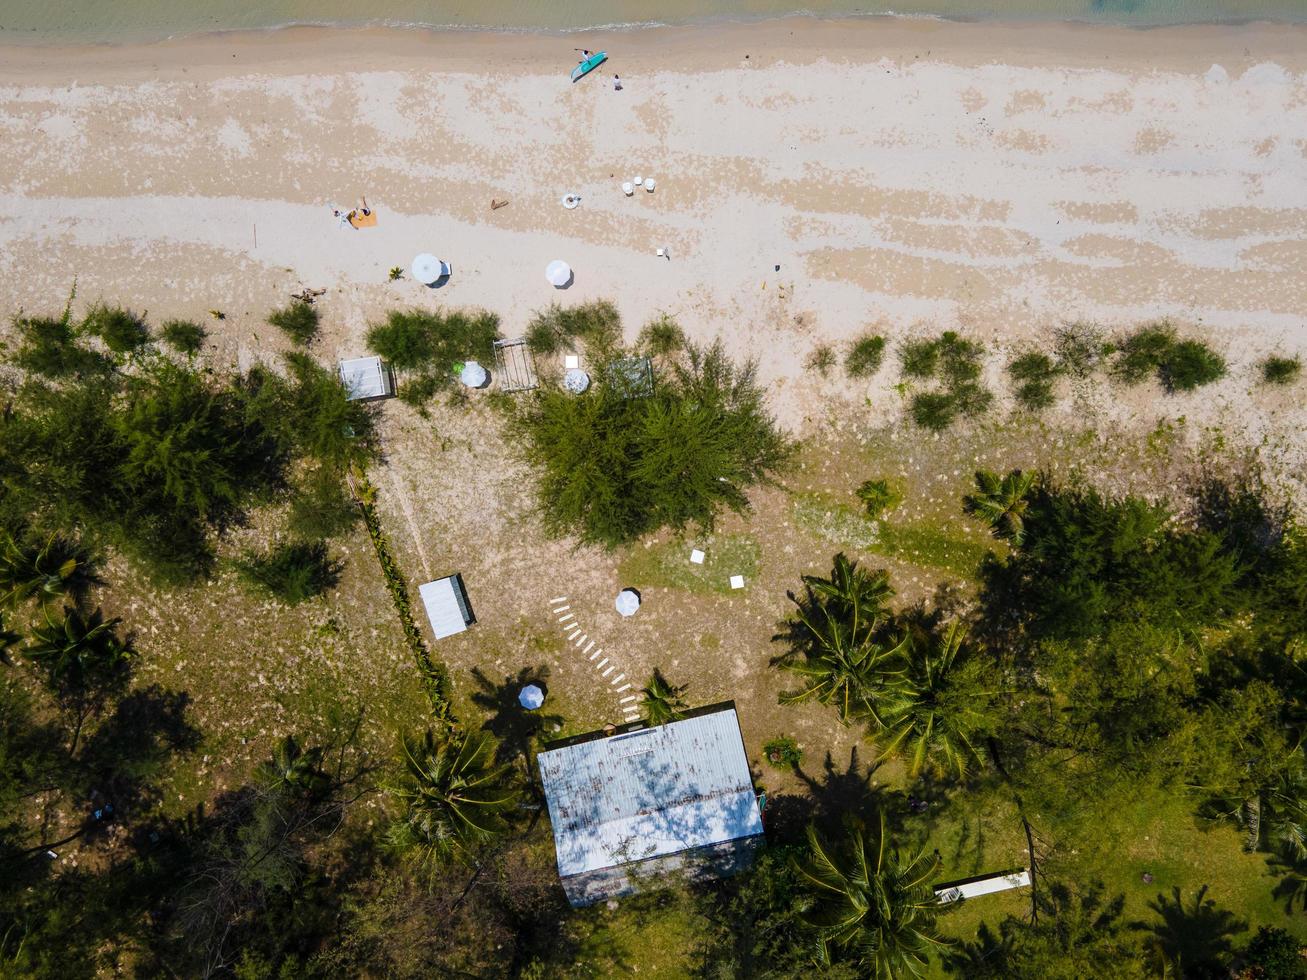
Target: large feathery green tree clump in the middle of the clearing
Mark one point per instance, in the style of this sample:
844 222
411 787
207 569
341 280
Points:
614 467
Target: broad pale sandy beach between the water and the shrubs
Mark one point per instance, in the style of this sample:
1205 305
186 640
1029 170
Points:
908 176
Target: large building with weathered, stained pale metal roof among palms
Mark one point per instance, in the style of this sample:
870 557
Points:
652 800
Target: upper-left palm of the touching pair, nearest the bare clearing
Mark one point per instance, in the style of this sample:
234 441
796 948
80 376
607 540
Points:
835 642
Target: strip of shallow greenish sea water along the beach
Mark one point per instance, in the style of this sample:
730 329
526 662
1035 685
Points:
52 22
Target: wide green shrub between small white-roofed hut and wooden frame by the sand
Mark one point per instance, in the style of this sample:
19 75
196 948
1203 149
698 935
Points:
427 346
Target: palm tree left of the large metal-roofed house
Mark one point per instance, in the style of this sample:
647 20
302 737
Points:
452 795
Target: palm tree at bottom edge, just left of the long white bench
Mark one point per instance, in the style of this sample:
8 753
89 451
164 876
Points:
872 902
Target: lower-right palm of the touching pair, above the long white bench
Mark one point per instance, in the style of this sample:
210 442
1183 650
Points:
943 706
